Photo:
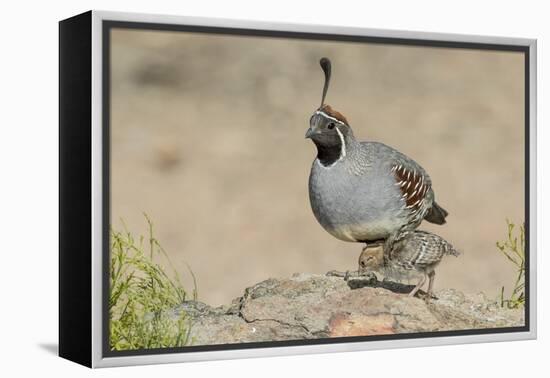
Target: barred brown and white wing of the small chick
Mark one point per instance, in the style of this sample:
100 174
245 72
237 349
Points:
420 250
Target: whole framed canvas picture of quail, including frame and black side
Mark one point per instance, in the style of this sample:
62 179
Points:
197 222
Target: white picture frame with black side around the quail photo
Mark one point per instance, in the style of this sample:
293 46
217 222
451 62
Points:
82 271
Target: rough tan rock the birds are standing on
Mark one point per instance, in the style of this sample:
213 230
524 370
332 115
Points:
308 306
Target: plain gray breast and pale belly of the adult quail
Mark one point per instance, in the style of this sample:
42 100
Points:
356 206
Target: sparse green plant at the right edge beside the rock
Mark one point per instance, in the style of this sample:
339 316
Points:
513 248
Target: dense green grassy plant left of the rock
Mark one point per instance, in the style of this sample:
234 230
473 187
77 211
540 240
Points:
142 295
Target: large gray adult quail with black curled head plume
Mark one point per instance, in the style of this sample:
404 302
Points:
364 191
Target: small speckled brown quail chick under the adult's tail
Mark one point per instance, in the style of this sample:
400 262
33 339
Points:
418 250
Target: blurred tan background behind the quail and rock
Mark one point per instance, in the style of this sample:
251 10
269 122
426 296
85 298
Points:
208 140
